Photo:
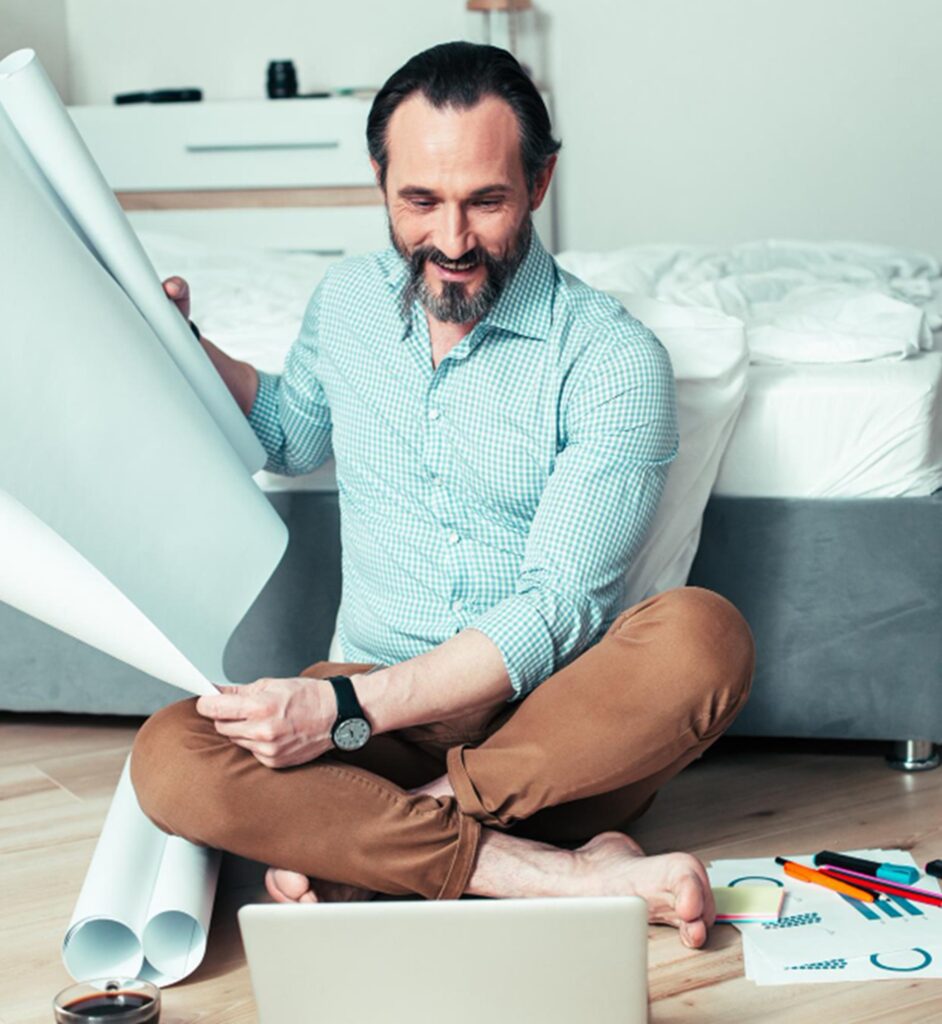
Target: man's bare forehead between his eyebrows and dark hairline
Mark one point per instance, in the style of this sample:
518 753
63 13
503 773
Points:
424 142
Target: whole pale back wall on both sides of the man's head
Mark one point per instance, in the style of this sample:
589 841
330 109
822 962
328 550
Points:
682 120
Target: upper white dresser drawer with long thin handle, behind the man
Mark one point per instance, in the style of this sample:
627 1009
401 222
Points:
281 144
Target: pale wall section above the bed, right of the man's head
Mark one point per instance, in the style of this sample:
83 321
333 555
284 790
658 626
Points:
726 120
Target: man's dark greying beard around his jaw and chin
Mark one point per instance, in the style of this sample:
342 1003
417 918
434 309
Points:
454 306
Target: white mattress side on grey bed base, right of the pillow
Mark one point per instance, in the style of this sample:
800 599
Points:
838 431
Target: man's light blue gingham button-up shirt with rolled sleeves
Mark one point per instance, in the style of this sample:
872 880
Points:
506 491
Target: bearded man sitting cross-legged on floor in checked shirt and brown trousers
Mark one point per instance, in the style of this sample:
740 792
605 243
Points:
502 435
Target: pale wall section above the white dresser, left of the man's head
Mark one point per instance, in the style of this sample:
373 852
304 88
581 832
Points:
225 47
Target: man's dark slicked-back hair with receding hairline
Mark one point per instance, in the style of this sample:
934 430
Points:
461 75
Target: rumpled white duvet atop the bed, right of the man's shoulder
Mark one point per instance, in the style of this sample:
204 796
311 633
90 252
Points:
800 302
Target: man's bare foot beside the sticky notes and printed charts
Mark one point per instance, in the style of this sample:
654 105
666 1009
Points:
674 885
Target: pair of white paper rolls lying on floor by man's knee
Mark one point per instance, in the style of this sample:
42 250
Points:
146 904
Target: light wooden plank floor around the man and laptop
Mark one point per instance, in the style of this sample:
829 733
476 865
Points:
58 775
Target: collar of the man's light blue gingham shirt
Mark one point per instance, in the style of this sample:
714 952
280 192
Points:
526 306
